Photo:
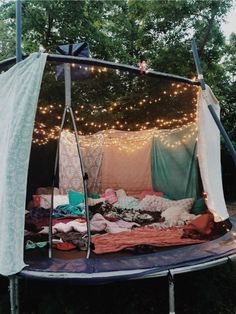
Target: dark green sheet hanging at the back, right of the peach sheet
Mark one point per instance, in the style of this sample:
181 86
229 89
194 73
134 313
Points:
173 160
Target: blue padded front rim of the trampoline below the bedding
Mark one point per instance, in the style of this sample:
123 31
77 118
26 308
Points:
127 266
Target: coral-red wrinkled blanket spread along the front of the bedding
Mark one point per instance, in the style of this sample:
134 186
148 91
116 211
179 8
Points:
160 238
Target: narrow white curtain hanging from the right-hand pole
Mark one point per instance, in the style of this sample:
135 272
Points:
209 154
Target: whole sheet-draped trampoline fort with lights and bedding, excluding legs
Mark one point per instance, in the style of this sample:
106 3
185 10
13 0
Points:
151 154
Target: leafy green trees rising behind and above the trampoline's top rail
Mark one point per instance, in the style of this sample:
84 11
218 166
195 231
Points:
122 31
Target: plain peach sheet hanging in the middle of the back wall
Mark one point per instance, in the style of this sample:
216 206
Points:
126 161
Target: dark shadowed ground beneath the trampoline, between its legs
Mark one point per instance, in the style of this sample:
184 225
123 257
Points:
210 291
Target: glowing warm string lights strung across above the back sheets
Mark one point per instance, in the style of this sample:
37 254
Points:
93 118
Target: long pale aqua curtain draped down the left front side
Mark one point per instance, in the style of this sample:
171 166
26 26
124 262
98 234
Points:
19 94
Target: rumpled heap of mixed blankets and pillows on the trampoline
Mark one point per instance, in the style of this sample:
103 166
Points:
155 213
